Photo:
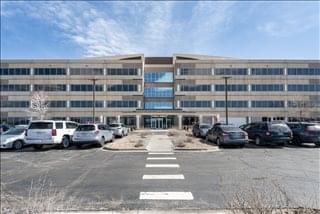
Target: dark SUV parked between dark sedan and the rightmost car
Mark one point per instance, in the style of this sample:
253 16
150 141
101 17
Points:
274 132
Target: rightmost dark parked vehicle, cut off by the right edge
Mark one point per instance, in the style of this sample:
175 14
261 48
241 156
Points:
304 132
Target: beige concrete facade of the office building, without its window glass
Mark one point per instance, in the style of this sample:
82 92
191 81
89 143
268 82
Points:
178 113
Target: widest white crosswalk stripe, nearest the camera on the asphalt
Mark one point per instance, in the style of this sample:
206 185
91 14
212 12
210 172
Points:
166 196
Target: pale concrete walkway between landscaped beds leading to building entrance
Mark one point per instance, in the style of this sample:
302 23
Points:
159 143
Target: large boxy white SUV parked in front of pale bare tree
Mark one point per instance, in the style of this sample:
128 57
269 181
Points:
50 132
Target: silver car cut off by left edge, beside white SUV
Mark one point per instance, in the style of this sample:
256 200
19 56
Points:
13 138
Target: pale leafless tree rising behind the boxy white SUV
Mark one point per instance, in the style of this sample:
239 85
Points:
39 105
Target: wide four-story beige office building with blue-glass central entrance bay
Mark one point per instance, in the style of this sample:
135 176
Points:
162 92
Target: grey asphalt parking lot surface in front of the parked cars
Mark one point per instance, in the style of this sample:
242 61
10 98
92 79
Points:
114 180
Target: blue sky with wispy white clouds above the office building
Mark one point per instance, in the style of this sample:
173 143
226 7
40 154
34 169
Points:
285 30
